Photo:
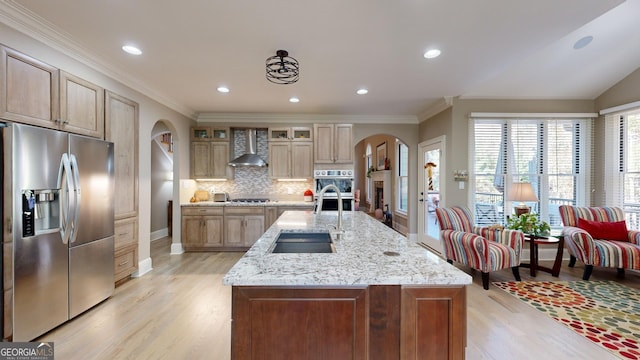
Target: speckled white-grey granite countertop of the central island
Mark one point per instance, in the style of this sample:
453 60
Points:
359 258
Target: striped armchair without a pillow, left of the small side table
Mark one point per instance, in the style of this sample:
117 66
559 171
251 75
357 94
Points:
479 248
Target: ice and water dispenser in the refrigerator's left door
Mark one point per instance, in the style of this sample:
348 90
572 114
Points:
40 211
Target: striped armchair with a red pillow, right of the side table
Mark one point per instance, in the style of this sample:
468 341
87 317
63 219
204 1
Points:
622 253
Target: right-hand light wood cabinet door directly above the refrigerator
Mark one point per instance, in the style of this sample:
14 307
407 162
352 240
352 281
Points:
81 106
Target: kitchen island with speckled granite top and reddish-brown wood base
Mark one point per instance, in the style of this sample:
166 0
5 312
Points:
378 296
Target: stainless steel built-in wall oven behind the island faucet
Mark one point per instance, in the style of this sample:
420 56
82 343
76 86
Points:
343 180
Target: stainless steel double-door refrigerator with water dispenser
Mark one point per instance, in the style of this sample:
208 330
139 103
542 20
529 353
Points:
61 189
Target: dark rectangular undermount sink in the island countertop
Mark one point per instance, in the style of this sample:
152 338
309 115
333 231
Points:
303 242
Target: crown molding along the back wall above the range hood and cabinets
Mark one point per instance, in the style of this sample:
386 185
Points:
304 118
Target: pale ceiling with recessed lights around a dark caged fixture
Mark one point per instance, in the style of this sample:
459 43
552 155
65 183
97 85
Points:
490 49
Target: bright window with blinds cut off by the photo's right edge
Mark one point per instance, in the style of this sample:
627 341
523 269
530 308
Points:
622 158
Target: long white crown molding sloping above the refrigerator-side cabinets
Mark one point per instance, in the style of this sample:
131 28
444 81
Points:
21 19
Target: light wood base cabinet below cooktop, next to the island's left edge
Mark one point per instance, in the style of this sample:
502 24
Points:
243 226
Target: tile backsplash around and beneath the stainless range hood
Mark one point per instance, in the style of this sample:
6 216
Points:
252 181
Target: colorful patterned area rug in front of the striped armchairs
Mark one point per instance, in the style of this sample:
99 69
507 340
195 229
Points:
604 312
